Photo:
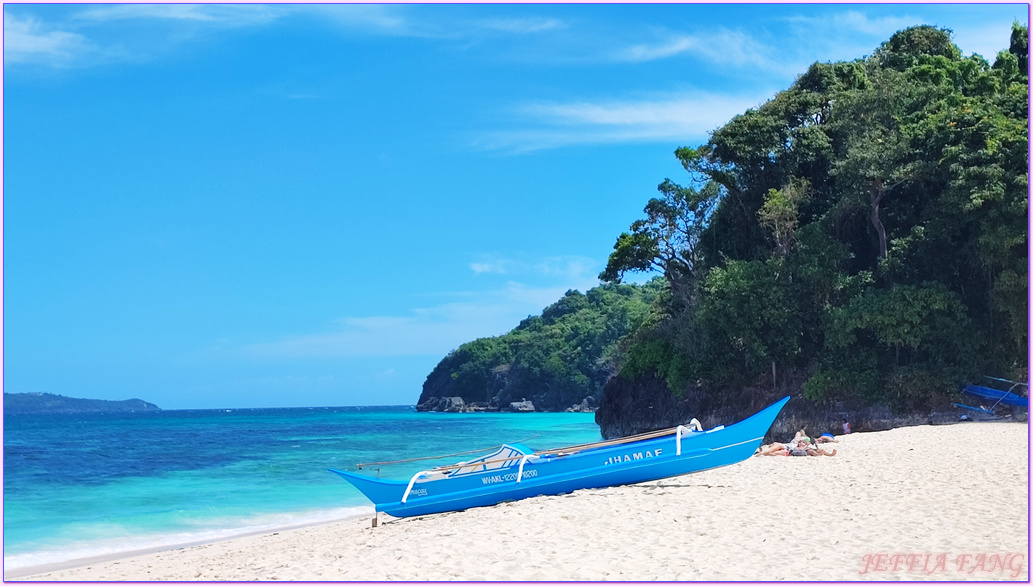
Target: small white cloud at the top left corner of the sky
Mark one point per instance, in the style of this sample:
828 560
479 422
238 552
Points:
30 41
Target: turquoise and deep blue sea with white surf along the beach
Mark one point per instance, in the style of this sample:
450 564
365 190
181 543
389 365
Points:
80 486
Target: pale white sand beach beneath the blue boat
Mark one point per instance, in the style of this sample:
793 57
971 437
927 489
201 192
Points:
930 503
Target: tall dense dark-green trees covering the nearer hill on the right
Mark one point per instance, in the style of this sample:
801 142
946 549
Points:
864 233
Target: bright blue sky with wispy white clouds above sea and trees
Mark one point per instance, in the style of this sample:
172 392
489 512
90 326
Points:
246 206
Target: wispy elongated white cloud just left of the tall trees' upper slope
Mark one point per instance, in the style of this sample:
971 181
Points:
688 116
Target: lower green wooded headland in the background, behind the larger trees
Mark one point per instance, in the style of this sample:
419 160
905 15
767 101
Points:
555 360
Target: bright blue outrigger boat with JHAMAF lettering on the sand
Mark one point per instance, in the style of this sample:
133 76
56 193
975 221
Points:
515 472
